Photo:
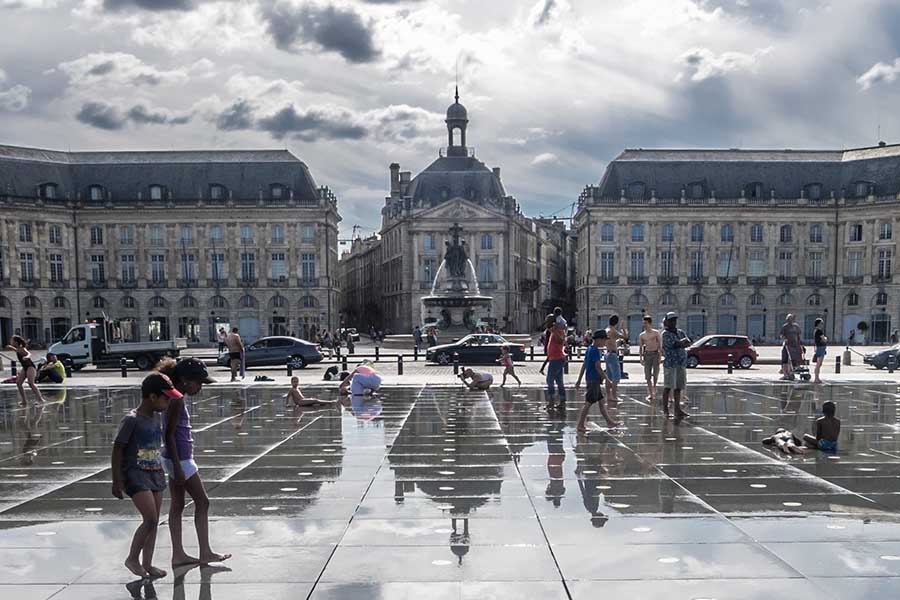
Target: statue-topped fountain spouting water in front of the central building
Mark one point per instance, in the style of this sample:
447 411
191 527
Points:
455 304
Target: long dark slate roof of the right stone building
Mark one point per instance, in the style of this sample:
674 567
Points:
667 171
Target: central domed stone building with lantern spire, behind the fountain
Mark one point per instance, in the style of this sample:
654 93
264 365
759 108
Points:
519 261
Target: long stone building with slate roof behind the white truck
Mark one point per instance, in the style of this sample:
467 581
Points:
168 243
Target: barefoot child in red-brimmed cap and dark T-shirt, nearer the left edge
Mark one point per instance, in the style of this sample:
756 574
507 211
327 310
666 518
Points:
137 469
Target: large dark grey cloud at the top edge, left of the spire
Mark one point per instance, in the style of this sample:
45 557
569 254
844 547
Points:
330 28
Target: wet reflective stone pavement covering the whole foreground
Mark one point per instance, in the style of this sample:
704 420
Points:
439 493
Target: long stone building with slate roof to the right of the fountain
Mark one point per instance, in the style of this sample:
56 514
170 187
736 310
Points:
733 240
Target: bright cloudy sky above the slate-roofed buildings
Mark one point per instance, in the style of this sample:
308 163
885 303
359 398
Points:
555 89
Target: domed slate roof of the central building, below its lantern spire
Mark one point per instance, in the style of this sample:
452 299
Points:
462 176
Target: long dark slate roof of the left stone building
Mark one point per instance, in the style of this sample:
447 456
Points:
183 173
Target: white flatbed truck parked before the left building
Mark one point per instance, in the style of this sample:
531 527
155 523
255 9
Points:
93 343
